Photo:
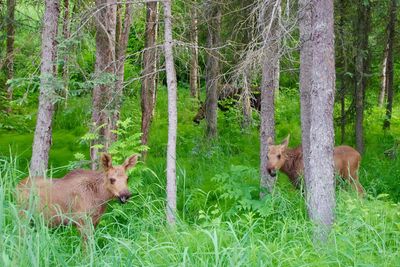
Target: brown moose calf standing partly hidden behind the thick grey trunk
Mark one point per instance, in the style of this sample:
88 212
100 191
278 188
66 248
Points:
290 161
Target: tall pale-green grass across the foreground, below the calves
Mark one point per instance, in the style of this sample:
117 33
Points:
366 232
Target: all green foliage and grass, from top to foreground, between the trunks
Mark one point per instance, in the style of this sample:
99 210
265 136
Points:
221 220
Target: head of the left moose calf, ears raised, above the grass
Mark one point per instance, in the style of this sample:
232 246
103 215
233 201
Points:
116 179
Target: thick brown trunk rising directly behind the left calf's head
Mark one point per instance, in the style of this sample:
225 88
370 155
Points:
104 67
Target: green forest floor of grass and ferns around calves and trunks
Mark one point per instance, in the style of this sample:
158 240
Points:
221 220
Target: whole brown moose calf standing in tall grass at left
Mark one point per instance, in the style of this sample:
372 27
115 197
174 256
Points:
79 195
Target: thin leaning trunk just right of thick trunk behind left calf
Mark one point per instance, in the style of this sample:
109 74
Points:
121 44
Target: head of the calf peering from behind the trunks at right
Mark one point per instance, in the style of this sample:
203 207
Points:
276 156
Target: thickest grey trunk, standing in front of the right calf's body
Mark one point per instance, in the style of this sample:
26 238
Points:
320 61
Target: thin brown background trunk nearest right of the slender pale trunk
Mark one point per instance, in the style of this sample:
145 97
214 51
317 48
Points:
194 56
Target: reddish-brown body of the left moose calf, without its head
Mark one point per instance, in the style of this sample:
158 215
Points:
74 196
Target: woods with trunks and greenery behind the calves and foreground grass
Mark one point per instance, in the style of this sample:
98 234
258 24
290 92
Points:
82 77
